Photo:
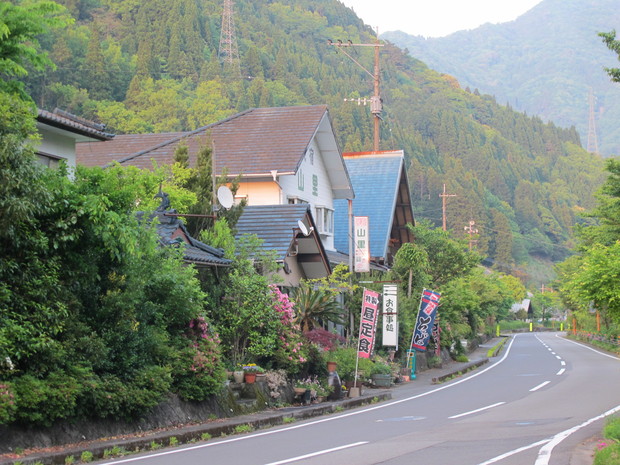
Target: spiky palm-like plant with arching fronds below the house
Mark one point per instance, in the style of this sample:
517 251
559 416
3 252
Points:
313 306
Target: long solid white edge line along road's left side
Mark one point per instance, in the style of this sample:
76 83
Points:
322 420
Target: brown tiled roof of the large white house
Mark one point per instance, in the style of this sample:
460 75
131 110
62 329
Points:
253 142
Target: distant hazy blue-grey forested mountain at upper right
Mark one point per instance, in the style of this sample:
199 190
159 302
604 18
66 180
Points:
545 63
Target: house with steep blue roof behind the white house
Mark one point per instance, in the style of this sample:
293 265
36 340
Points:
382 194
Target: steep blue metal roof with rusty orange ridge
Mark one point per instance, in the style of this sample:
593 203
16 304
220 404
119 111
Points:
375 180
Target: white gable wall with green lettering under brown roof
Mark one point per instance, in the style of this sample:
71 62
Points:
312 185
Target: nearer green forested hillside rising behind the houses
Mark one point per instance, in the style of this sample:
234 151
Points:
153 66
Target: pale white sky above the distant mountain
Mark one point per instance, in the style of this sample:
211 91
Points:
437 18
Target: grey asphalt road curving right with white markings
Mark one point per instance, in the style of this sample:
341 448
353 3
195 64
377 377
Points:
544 395
